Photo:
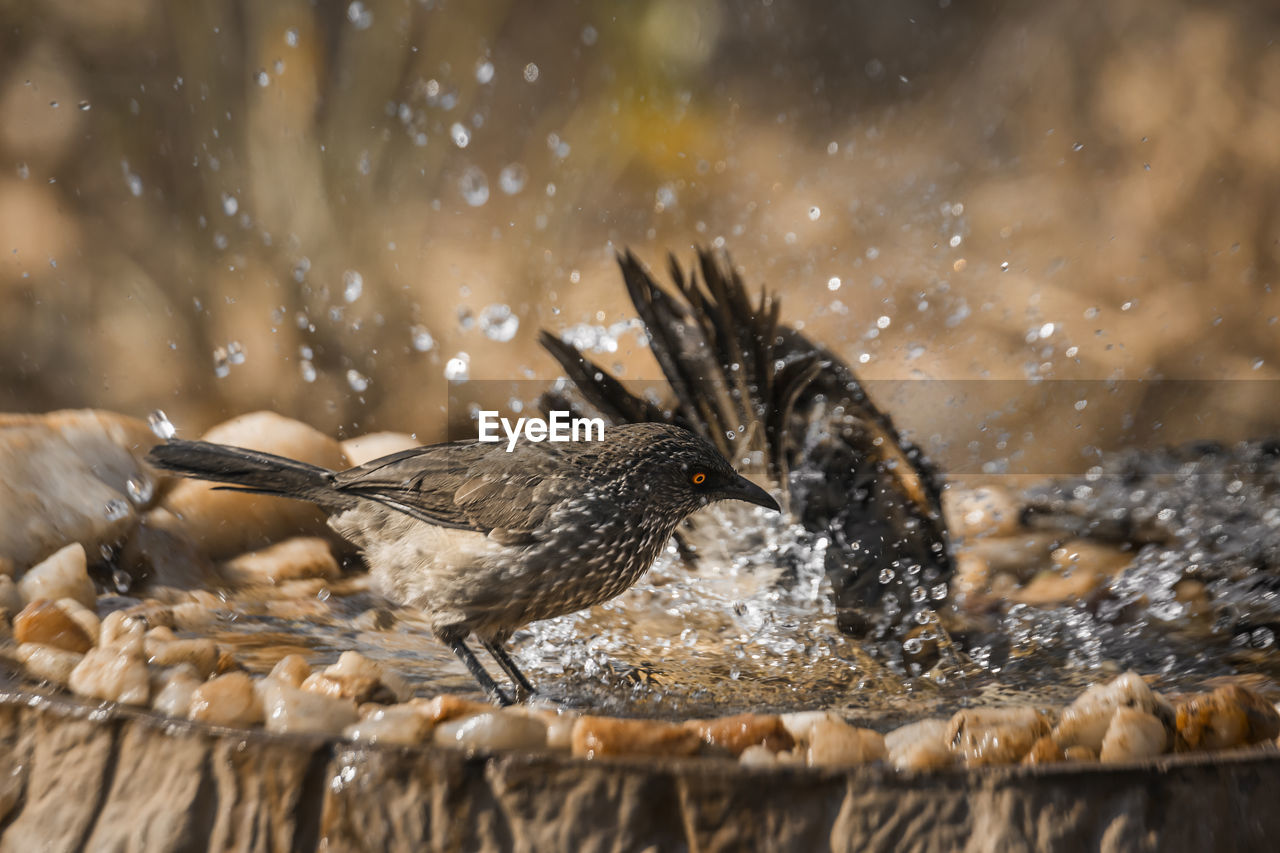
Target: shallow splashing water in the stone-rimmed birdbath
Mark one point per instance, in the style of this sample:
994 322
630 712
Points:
749 626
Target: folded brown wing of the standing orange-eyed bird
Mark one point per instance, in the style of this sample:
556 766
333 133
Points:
468 485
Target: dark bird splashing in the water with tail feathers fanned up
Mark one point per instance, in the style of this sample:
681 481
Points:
845 471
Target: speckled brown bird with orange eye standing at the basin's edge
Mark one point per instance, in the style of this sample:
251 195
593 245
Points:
484 541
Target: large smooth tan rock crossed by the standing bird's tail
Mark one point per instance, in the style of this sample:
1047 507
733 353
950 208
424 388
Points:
225 524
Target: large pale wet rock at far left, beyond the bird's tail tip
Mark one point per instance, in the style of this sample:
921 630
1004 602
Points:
70 477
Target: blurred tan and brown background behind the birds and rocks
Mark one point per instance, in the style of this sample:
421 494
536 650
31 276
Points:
332 209
